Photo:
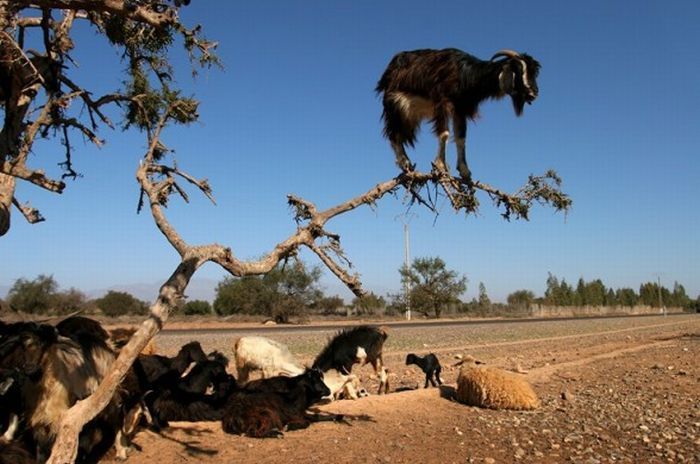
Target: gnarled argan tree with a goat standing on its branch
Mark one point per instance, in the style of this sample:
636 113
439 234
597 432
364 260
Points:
42 99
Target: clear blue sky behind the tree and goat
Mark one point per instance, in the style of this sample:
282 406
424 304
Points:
294 111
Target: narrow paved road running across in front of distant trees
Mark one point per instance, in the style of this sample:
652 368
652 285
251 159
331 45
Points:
281 329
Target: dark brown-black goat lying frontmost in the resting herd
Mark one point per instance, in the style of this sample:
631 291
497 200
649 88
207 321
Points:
276 406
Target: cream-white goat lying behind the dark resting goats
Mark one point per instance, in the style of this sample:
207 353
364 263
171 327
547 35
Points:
268 356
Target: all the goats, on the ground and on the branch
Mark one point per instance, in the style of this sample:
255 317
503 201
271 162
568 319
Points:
45 369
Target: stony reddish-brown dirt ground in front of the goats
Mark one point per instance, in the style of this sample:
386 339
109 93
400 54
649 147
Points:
618 393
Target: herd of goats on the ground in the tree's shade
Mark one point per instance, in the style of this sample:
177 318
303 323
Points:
45 369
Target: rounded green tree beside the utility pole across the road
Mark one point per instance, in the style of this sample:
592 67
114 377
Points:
433 286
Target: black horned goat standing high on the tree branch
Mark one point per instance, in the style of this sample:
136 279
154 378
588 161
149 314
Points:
439 84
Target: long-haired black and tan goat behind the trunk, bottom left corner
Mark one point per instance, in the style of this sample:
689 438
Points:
66 370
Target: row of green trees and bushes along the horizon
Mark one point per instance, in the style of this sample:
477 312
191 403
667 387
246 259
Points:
292 291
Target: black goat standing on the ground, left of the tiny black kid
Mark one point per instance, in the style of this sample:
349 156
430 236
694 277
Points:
352 346
